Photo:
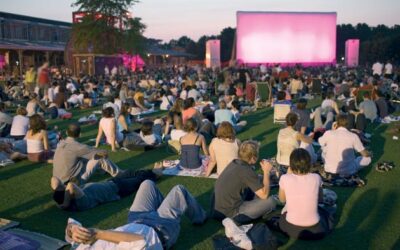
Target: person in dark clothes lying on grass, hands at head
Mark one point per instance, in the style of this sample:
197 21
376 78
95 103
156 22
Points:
74 198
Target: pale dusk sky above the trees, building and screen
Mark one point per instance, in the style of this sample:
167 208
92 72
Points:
168 19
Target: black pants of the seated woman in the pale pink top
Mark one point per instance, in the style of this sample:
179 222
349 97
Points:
316 232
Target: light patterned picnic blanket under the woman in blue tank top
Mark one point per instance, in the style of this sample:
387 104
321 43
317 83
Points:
172 167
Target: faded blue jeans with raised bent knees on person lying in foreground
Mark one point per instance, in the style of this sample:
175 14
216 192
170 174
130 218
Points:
163 215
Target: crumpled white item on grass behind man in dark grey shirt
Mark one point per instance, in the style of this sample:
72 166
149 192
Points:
237 235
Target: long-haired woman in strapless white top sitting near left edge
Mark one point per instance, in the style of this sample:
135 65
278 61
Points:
37 140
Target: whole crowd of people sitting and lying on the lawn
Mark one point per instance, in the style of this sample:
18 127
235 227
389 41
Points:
204 112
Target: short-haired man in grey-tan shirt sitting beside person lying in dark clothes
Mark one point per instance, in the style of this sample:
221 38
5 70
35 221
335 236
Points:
76 160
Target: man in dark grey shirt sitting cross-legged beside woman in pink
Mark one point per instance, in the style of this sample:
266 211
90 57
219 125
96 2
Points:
239 194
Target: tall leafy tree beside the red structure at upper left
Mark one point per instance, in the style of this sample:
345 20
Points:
107 27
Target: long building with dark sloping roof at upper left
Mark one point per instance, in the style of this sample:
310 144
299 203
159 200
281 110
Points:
26 41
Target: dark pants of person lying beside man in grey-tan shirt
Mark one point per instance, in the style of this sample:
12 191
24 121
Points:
130 180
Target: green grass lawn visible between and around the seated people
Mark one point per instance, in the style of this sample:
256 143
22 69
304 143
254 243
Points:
368 217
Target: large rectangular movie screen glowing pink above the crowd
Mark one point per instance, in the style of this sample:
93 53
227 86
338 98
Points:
286 37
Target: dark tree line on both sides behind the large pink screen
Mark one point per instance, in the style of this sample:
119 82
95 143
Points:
376 43
